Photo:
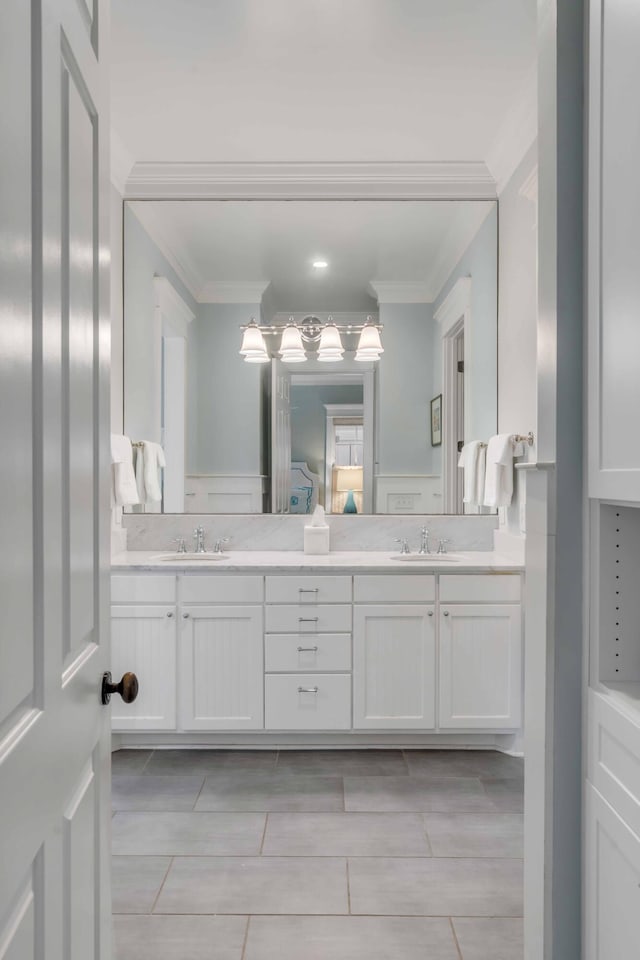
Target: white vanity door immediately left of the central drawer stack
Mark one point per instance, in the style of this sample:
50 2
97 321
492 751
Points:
221 668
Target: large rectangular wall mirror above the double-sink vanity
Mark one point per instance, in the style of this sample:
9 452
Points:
368 332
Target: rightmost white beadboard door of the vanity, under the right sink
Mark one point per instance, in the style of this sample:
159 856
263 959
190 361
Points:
480 666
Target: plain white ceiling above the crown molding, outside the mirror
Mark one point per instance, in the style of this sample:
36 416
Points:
321 80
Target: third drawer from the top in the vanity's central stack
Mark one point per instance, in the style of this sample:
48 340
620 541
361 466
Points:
286 652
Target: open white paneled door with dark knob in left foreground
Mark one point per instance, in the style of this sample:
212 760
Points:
54 474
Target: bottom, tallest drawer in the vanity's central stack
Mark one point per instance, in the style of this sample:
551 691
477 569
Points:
308 701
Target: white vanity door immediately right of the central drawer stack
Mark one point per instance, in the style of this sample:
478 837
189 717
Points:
394 667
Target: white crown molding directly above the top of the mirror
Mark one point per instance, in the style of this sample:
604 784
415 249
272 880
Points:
300 181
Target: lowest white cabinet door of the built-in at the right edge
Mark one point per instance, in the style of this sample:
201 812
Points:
612 889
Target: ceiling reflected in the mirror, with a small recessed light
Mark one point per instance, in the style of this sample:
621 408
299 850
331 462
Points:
212 243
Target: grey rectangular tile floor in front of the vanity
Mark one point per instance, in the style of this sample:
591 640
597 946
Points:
317 855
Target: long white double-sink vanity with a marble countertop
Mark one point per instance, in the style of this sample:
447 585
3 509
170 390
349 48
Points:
264 647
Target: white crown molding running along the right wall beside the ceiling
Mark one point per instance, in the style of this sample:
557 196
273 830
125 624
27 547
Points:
516 135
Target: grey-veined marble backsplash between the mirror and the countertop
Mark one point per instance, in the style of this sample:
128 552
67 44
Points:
269 532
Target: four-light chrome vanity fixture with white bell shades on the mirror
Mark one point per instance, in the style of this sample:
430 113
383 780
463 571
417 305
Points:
297 339
